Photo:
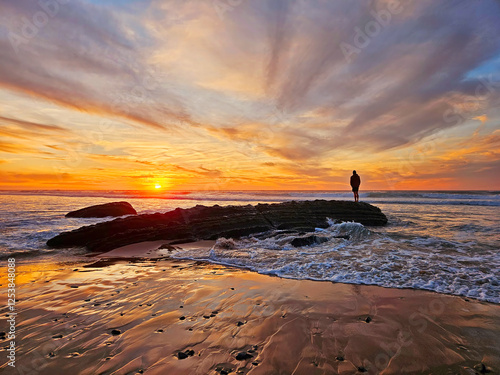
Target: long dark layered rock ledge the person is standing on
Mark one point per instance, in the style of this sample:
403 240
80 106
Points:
201 222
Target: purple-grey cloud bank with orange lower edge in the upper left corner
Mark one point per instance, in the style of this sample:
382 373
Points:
85 56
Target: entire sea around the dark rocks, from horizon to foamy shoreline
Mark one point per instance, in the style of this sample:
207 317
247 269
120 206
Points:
444 241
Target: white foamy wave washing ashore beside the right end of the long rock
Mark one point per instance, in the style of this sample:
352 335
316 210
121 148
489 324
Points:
366 257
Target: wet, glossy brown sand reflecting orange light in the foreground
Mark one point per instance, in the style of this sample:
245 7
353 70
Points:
160 316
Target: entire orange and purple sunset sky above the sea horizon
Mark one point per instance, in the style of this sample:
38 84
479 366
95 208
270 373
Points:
249 94
